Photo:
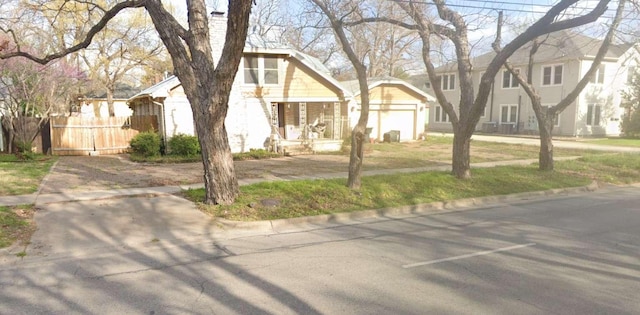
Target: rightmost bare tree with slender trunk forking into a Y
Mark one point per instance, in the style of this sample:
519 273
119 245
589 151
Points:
546 115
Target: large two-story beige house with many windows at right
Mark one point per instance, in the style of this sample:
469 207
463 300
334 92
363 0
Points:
560 63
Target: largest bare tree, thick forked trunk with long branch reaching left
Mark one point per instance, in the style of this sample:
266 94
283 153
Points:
206 82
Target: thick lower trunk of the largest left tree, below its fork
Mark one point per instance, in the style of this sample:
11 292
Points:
221 184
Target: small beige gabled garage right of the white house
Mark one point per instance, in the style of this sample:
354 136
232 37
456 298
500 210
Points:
393 105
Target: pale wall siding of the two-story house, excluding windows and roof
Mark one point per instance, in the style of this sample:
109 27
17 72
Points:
573 120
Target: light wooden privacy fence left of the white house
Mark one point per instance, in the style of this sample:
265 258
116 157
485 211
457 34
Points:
89 136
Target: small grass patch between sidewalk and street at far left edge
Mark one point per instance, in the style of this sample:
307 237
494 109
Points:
16 224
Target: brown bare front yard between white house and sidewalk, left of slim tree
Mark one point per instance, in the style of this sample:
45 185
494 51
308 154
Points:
81 173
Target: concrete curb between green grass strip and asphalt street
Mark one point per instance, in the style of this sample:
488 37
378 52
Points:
284 225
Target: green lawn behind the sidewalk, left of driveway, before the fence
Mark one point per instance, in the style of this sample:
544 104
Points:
22 177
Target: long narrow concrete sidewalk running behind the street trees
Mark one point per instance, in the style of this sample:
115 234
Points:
37 199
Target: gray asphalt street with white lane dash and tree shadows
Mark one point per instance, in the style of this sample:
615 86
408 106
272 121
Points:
567 255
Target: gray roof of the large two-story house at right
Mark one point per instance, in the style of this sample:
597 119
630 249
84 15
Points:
558 46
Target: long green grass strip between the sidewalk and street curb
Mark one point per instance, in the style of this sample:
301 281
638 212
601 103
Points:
305 198
